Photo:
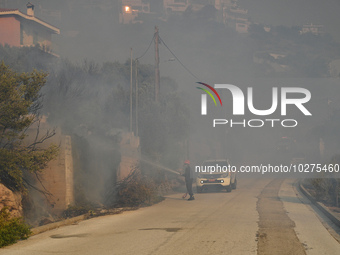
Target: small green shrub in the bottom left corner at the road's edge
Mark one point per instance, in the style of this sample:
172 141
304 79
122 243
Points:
12 229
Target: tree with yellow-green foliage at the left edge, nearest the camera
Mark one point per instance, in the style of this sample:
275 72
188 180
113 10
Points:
20 102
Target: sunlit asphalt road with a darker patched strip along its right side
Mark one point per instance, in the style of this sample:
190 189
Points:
262 216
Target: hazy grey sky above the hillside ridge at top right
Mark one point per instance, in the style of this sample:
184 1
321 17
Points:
295 13
